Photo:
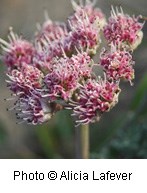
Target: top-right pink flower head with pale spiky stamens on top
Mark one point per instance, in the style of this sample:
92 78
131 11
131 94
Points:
122 28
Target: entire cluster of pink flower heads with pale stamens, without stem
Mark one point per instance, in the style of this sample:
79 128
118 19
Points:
55 70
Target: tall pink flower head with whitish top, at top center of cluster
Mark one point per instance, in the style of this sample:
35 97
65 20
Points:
84 32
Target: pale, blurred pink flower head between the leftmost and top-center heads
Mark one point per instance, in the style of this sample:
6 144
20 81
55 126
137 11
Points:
53 38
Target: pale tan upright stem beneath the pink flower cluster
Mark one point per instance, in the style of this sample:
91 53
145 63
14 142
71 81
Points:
82 141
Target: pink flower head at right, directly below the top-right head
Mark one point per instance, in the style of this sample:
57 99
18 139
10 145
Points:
117 64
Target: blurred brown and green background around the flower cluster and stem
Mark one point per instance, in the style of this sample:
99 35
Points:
121 133
